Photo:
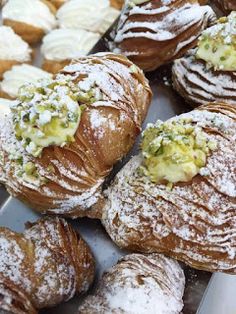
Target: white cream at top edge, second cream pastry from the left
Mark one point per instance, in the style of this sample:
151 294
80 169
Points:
92 15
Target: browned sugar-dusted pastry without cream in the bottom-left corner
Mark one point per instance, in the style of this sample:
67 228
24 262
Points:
42 267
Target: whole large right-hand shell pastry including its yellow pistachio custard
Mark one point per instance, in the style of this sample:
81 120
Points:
178 196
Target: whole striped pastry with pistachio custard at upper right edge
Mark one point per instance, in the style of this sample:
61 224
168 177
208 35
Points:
208 73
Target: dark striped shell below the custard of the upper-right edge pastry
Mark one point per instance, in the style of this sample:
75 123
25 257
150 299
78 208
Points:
199 84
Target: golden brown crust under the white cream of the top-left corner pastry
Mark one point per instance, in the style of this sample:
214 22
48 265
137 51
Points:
29 33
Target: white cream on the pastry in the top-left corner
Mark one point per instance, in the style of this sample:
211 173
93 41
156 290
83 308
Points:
32 12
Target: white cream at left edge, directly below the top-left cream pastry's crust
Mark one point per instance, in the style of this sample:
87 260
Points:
12 47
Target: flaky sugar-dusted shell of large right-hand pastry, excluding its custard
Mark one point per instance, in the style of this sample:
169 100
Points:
194 221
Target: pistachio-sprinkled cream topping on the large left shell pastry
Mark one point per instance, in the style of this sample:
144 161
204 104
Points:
49 113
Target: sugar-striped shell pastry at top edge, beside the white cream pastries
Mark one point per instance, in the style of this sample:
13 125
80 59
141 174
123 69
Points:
153 33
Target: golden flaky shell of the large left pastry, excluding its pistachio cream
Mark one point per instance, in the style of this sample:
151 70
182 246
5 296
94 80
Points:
107 130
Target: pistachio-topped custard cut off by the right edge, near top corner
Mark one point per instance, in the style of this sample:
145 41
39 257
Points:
217 44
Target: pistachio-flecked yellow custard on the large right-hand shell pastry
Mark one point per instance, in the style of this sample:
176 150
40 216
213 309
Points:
174 151
